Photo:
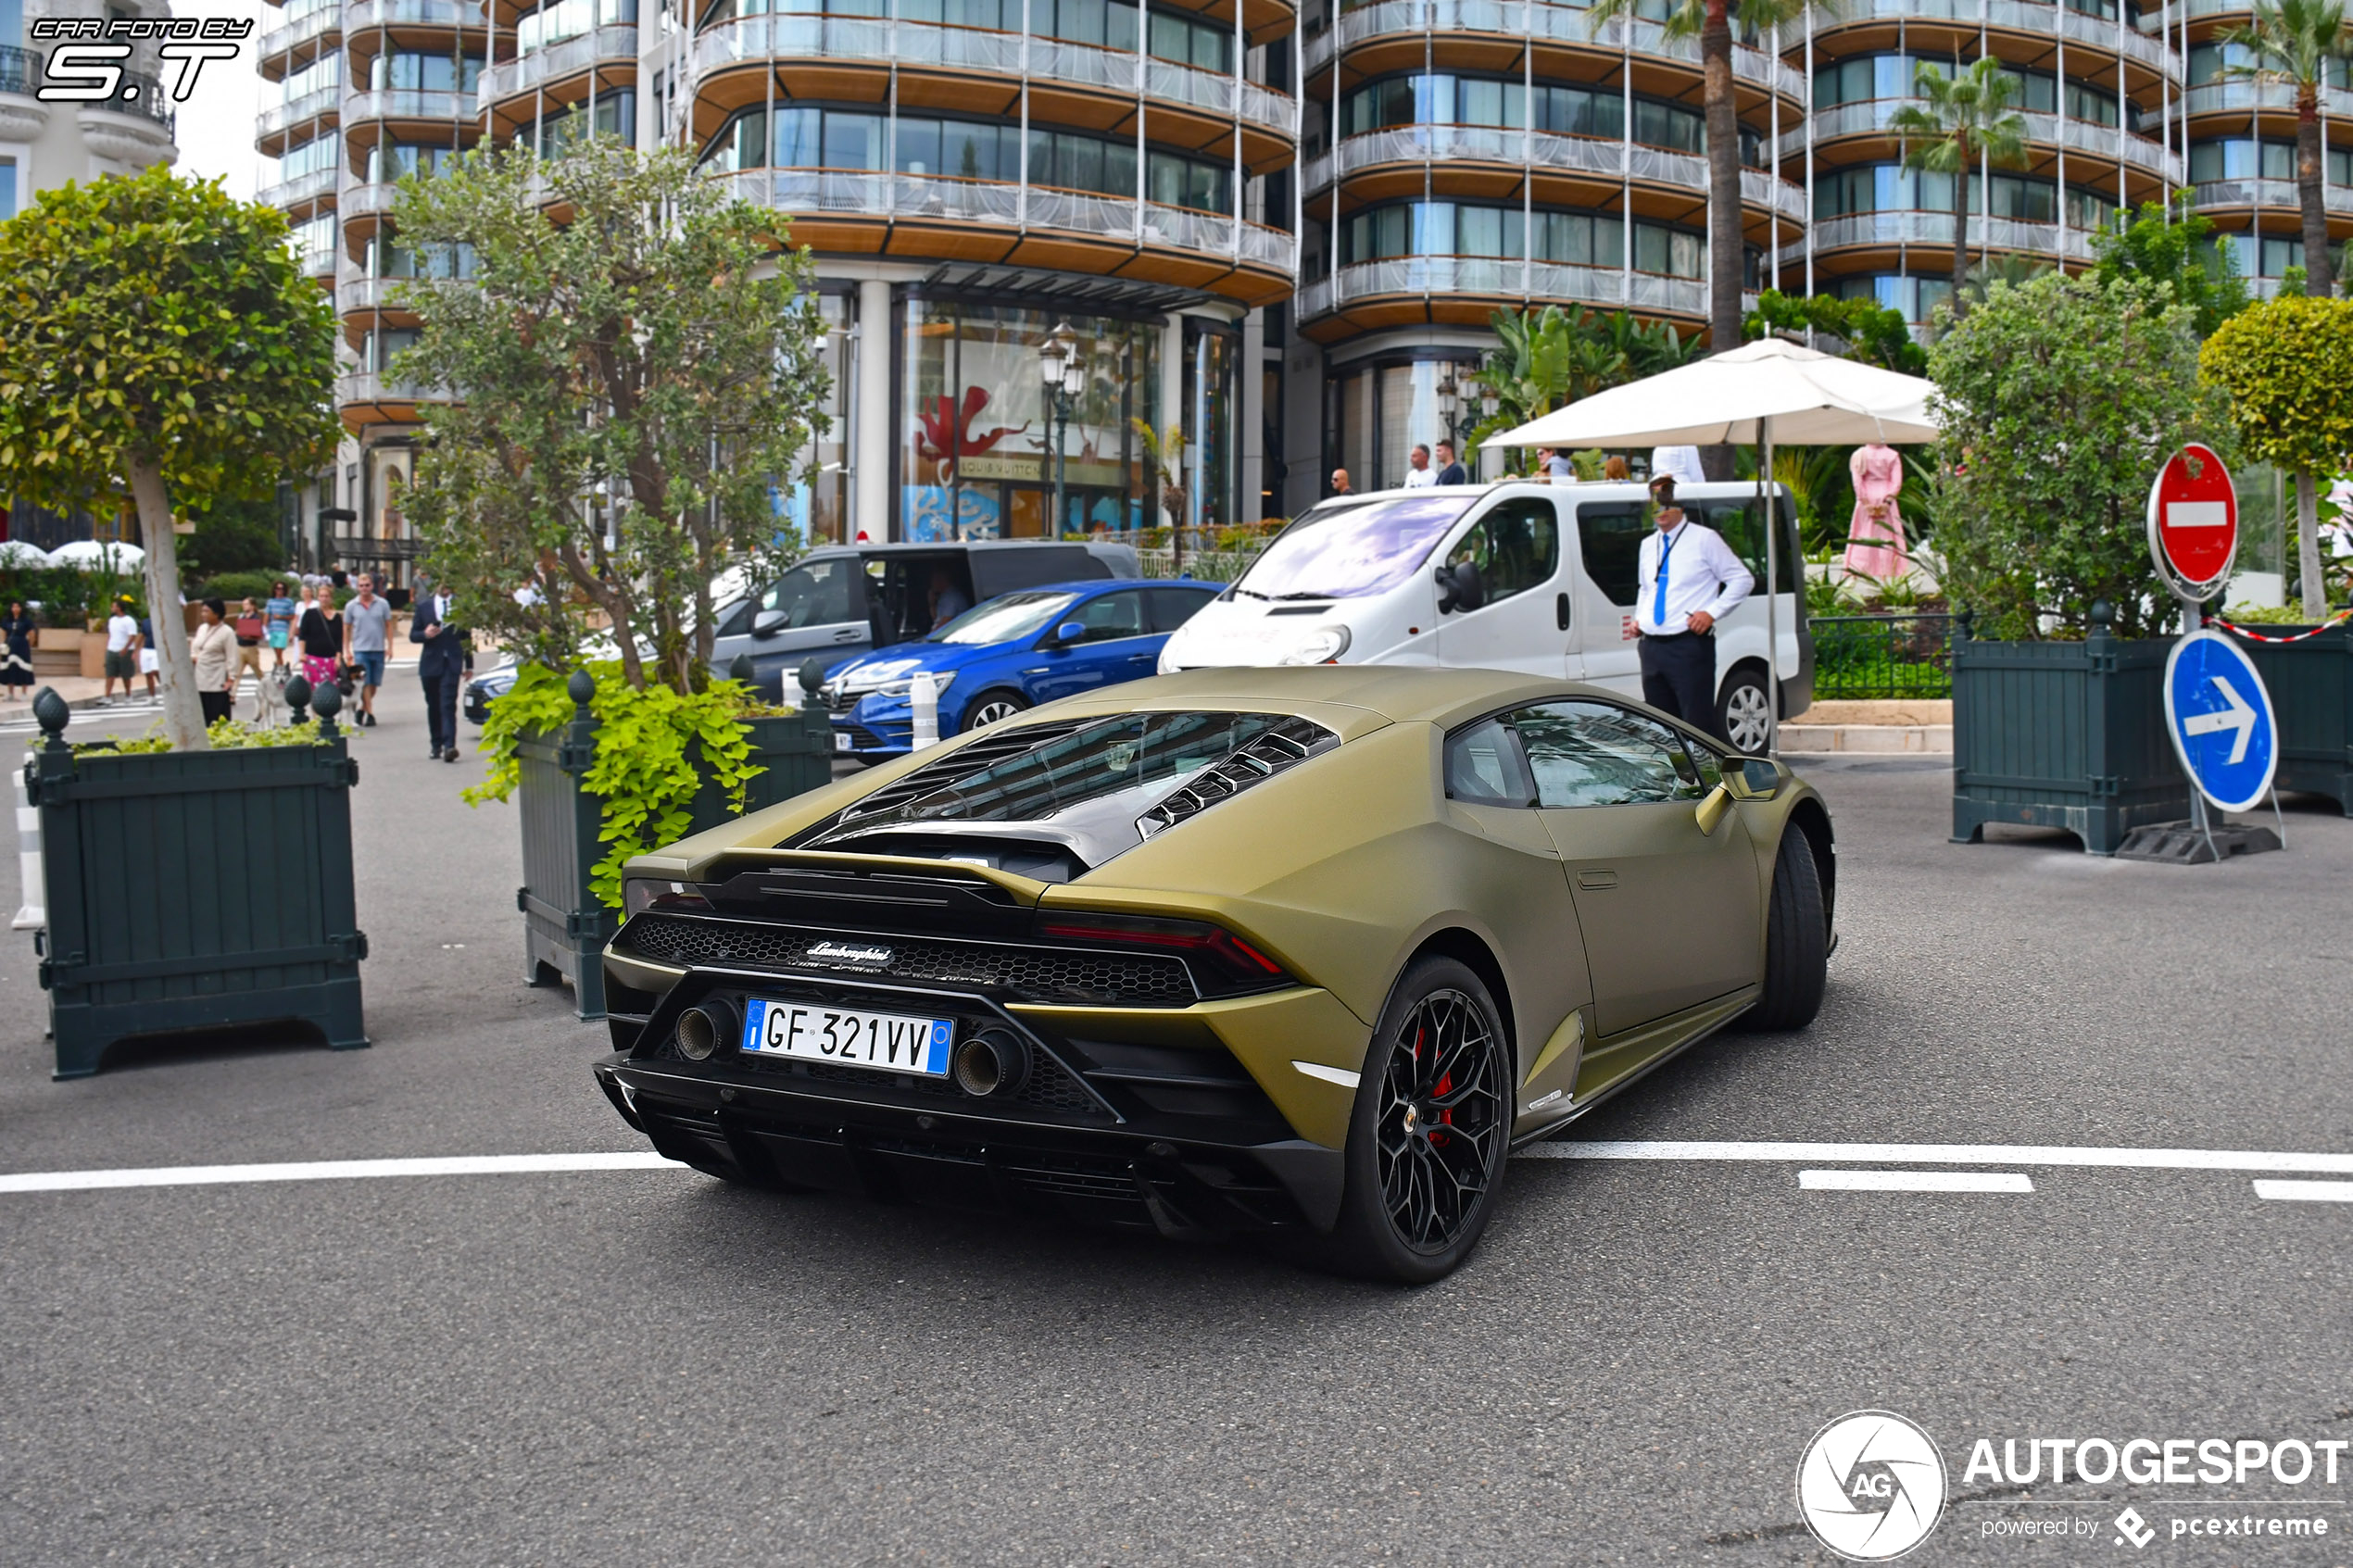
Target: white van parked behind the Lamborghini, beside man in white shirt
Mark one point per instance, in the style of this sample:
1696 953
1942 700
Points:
1502 577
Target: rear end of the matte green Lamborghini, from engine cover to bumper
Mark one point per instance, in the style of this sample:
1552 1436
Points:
907 986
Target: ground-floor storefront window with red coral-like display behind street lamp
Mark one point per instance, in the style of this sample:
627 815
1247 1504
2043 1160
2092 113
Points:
975 427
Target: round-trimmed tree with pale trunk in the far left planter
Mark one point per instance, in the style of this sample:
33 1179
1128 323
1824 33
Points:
159 337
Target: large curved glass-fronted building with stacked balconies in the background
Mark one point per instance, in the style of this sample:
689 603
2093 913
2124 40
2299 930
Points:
1279 229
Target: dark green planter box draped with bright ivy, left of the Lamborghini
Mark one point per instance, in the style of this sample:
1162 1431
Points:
564 925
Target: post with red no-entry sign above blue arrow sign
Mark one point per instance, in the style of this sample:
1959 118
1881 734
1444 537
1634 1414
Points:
2215 706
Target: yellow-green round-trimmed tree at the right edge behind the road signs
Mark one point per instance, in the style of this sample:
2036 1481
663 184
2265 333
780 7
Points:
2286 368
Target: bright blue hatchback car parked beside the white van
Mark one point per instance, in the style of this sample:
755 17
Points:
1008 655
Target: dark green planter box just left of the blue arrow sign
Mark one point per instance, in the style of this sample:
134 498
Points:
2062 735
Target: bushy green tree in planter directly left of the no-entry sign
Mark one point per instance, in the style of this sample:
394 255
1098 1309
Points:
2060 401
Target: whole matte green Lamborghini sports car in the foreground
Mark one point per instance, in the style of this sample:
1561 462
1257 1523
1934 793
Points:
1302 951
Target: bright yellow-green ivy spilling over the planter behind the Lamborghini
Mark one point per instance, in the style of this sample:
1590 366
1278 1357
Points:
655 753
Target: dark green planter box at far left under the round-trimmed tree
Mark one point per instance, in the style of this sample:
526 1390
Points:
196 890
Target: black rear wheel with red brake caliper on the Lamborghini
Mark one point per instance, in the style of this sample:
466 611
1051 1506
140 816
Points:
1432 1130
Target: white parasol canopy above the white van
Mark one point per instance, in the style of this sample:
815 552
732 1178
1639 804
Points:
1811 398
